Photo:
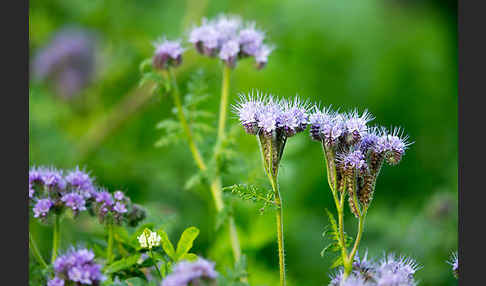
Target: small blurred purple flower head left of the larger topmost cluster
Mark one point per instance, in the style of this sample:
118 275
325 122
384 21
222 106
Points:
167 54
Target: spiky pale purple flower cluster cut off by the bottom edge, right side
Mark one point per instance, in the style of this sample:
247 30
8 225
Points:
389 271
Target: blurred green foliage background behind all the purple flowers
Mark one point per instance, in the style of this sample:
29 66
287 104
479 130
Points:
395 58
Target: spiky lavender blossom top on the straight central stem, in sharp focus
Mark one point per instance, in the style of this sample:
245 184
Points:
264 115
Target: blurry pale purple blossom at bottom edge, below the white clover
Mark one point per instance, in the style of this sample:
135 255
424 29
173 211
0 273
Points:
191 273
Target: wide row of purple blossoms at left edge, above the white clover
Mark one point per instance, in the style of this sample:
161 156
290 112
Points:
53 191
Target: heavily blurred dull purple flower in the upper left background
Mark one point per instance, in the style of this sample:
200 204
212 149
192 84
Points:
68 61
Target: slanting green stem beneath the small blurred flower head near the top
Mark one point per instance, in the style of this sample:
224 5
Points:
185 125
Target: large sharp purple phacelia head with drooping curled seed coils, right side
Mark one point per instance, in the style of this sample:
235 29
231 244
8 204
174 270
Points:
355 152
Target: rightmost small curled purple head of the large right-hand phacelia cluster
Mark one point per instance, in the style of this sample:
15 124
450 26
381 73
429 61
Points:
393 145
